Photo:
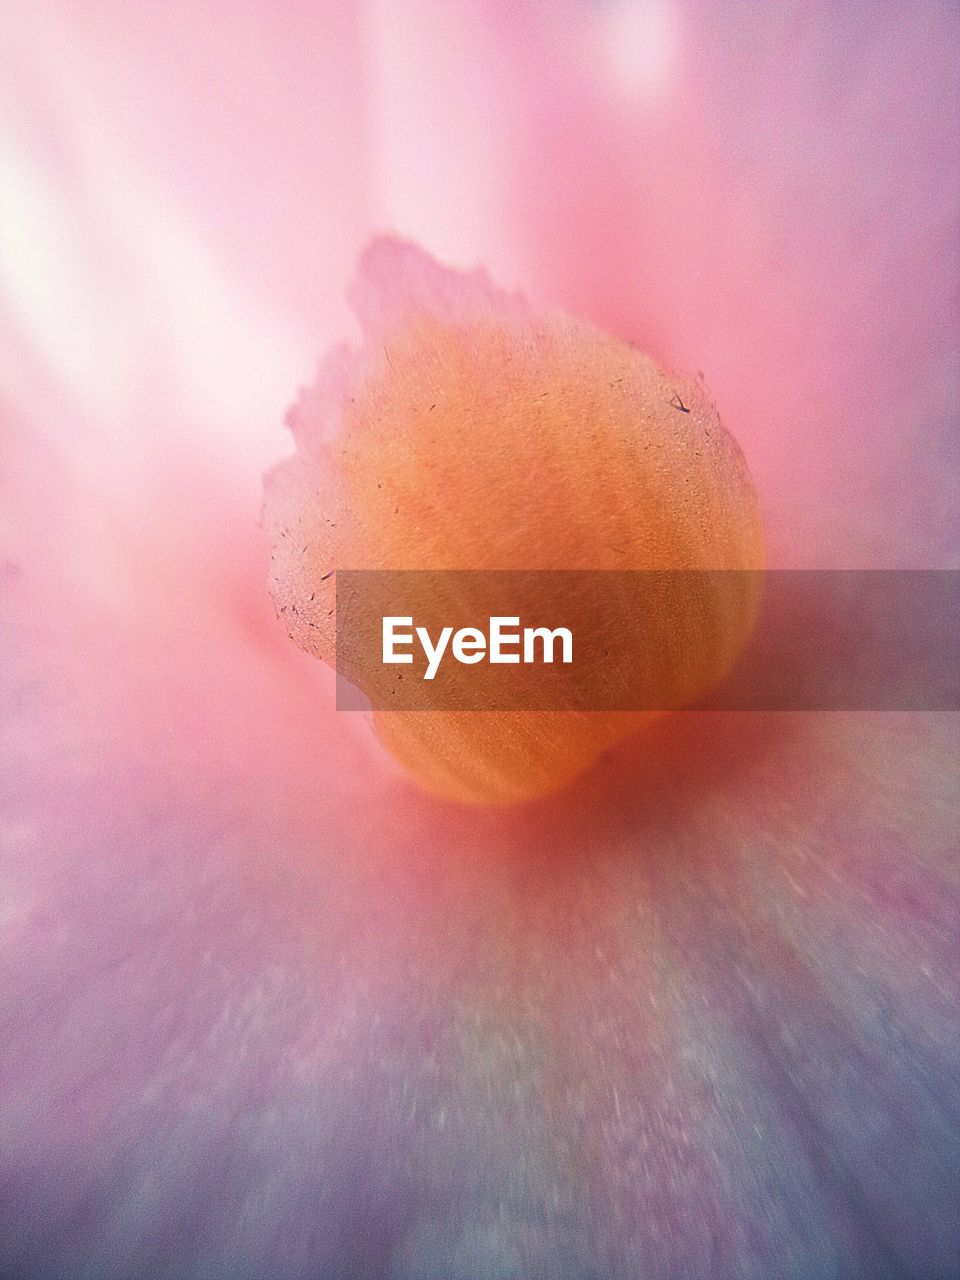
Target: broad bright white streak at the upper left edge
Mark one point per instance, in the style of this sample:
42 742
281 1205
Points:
111 281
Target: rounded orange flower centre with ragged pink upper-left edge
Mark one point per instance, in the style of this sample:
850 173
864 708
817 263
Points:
470 433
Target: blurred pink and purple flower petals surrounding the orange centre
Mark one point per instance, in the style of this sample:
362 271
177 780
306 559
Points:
269 1012
